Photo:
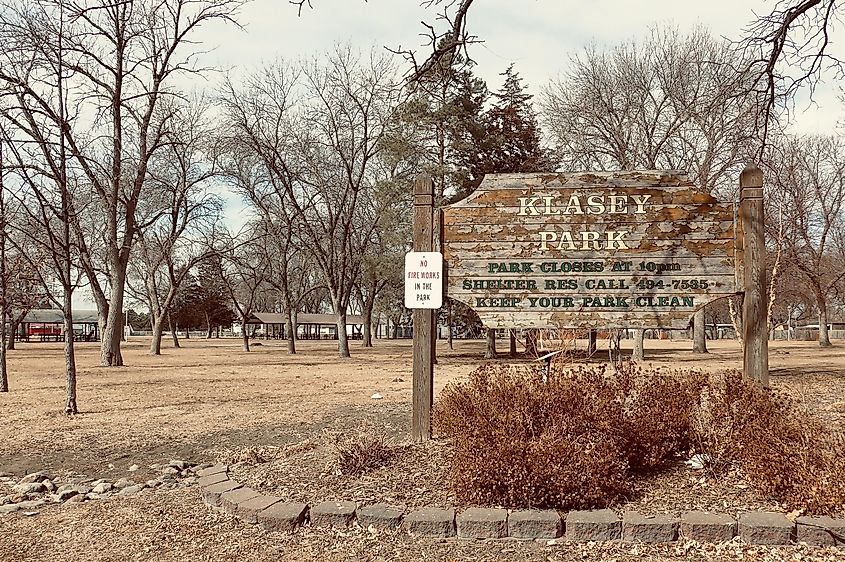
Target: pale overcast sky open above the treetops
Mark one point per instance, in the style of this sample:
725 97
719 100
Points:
537 35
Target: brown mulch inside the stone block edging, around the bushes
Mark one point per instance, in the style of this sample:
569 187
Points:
418 476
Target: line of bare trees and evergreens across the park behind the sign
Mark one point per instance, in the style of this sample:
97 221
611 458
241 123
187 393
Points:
115 175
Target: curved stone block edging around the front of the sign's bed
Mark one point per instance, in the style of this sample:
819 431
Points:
272 514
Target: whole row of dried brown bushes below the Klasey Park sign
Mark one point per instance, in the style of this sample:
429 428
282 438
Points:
578 441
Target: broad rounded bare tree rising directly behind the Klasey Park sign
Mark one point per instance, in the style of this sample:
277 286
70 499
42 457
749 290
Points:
671 101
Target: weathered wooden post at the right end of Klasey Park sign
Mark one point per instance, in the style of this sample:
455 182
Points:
754 308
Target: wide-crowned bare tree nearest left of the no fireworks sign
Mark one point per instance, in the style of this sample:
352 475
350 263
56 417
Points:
317 133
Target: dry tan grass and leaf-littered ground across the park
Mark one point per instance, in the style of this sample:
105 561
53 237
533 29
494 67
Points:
212 402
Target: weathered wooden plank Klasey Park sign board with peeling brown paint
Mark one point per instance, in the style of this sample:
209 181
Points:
598 249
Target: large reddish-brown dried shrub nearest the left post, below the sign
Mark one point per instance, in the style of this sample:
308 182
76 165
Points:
521 442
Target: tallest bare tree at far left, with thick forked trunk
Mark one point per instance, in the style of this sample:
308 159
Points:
124 57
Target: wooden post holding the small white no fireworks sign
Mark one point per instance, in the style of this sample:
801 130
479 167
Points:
424 336
